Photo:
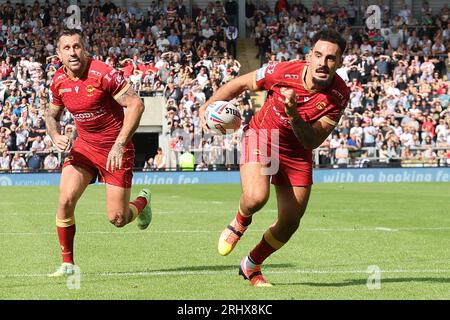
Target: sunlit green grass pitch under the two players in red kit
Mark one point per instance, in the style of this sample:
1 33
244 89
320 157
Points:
404 229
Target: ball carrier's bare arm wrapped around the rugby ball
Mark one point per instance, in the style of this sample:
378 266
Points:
229 91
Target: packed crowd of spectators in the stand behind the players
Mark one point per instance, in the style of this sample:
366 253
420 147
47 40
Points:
398 75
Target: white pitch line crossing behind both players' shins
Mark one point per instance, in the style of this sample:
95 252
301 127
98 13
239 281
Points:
376 229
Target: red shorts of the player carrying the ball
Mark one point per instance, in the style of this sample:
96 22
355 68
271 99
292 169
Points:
286 166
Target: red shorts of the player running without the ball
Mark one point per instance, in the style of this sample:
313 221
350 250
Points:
93 159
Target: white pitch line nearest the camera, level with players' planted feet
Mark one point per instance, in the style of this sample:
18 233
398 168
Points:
200 273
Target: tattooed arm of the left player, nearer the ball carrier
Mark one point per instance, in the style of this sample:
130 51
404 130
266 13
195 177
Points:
135 108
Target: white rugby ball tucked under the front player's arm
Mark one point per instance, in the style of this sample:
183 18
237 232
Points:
223 117
